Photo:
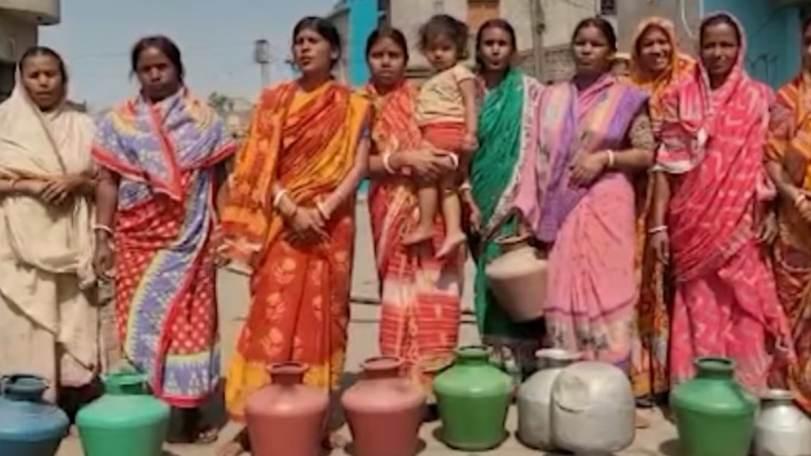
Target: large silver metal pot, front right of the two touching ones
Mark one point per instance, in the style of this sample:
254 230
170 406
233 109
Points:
593 409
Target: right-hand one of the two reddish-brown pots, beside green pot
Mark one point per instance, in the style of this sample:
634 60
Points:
384 410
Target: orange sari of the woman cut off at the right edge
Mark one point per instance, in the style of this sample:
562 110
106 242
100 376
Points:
789 144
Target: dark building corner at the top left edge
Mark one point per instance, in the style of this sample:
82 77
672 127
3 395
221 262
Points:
19 21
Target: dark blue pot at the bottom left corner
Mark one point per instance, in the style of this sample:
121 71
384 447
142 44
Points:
28 425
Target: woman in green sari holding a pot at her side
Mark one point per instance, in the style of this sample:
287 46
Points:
508 139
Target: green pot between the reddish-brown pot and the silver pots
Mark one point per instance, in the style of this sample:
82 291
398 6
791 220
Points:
473 397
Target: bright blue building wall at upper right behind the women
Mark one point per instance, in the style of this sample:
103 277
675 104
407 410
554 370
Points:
773 37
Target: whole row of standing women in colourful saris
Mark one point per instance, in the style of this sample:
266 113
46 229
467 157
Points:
673 206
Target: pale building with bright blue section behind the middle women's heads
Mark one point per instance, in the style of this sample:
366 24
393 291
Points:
539 24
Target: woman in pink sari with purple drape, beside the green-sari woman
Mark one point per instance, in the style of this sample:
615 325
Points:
595 134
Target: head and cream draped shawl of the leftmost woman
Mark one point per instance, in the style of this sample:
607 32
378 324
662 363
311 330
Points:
45 137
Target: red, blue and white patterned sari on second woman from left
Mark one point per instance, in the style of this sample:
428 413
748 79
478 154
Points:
165 154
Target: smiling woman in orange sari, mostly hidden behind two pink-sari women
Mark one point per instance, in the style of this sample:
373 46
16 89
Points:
656 65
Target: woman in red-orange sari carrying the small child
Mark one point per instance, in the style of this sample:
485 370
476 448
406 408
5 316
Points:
421 294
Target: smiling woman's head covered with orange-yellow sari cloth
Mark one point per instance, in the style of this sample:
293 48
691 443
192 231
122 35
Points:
656 60
